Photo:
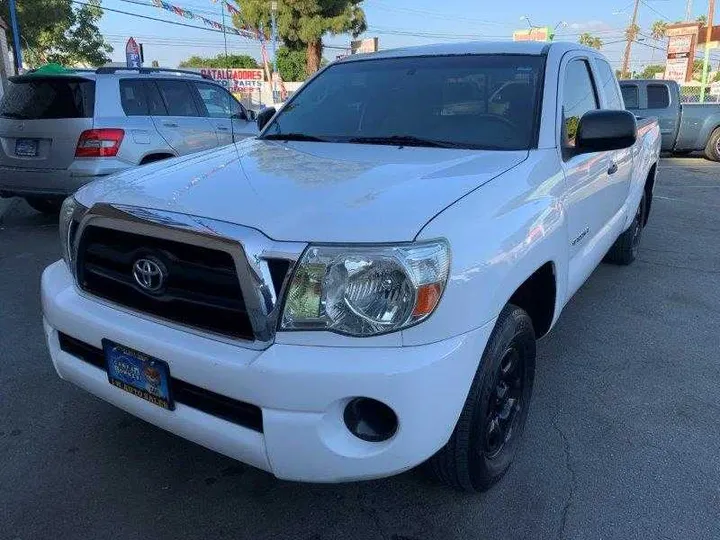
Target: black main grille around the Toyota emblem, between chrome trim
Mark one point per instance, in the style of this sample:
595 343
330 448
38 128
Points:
201 289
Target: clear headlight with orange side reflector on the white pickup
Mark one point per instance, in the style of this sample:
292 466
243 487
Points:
364 291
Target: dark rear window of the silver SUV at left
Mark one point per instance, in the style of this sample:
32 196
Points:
48 98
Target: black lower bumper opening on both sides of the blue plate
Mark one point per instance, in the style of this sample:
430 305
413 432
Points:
237 412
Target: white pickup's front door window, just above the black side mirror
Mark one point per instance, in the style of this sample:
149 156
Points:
579 97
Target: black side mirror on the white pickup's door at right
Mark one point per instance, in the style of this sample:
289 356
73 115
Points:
600 131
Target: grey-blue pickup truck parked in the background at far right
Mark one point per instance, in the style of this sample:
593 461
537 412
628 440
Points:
684 127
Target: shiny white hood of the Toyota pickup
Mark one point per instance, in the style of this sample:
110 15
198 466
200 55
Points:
309 191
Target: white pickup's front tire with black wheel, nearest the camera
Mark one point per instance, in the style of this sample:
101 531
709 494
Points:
483 445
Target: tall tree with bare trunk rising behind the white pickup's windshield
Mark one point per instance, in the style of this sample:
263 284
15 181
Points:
303 23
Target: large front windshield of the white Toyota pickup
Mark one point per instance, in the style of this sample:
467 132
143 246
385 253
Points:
479 101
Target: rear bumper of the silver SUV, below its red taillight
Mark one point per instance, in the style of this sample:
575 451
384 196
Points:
56 182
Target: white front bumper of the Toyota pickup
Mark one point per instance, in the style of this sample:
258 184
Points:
302 390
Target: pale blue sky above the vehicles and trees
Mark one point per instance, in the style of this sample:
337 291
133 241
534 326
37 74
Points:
405 22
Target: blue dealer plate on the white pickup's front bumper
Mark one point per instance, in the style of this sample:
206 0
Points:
139 374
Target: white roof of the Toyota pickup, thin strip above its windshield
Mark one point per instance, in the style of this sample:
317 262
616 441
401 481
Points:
473 47
